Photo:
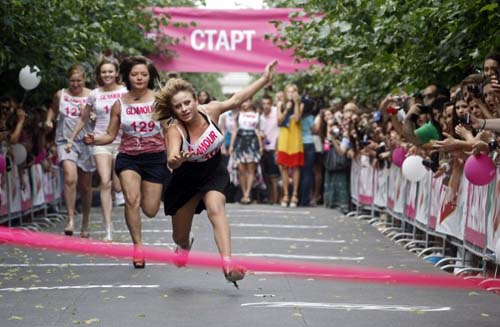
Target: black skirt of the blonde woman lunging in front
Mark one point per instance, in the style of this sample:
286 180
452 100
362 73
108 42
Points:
192 178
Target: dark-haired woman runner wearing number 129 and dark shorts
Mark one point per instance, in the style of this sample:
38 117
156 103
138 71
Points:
141 162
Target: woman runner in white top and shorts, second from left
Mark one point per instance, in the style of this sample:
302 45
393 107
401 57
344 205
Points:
97 113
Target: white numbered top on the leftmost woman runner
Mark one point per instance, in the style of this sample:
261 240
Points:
69 114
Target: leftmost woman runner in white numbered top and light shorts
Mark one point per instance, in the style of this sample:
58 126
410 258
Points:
77 165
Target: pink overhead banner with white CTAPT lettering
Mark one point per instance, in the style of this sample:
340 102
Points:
225 41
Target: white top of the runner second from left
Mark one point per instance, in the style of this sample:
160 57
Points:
101 103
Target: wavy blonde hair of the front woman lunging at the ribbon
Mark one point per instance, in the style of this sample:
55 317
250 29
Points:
163 108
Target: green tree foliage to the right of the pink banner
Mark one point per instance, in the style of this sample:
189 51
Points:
371 48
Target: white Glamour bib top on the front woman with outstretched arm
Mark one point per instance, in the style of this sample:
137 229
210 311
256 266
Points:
207 145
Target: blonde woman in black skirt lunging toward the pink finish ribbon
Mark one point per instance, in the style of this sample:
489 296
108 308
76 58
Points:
199 177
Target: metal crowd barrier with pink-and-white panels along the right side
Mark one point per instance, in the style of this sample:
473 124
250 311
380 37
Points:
456 234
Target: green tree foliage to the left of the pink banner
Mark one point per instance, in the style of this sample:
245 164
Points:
53 34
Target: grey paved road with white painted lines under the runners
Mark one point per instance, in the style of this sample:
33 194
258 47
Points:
40 288
